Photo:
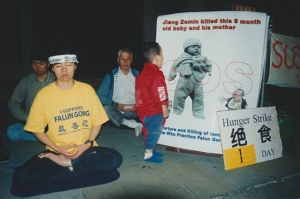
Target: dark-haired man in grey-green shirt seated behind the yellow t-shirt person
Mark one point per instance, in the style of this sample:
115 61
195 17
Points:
25 92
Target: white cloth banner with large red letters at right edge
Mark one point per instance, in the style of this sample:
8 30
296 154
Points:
285 61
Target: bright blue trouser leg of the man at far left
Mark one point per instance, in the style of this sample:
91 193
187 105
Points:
16 133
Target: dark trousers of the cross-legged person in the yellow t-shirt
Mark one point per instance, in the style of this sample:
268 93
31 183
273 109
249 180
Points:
43 172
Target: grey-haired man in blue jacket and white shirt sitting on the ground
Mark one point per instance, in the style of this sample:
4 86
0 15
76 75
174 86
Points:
117 93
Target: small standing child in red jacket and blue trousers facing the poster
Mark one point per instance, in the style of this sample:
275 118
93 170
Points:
152 99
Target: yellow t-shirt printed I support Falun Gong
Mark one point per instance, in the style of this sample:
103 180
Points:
70 115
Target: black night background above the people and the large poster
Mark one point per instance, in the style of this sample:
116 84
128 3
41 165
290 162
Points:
97 29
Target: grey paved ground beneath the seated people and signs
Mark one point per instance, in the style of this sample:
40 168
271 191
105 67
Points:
180 176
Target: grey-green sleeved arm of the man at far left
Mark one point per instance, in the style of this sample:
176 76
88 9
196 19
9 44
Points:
16 100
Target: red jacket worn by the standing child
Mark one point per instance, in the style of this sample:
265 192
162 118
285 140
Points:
150 91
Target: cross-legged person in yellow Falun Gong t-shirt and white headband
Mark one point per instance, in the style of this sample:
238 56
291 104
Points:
73 114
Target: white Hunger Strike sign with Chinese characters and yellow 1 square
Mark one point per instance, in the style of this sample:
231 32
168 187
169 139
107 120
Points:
249 136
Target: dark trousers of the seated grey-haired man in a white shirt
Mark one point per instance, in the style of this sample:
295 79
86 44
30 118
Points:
116 116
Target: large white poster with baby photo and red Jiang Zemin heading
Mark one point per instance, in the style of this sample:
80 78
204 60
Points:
212 61
